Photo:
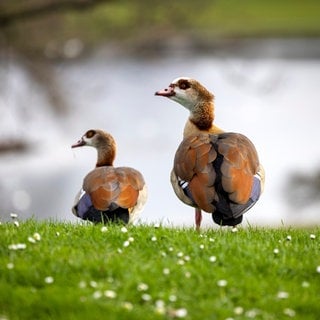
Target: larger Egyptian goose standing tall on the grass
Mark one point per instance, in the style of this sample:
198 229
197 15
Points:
214 171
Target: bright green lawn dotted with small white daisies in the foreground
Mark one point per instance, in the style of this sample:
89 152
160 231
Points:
152 272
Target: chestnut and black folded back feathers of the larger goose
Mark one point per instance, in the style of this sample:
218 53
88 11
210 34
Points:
219 168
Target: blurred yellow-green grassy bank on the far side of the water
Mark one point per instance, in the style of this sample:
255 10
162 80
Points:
210 20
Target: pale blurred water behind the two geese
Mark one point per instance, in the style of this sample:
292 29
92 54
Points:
273 101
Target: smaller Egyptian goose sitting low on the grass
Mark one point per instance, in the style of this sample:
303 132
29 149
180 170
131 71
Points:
108 194
